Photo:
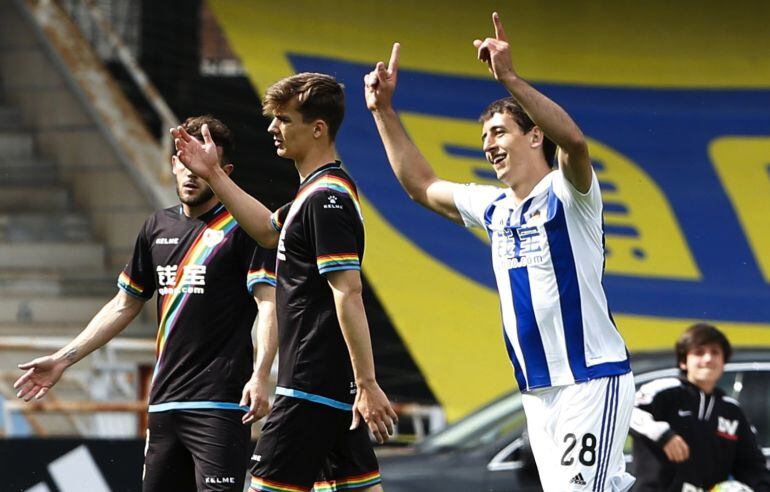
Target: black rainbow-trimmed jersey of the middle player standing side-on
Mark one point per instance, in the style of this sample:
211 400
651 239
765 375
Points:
322 231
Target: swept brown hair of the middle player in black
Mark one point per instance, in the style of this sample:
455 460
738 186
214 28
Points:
319 97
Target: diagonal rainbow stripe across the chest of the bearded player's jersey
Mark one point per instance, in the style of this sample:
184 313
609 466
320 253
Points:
199 254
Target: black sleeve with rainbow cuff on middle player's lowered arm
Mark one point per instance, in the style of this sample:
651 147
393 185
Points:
335 230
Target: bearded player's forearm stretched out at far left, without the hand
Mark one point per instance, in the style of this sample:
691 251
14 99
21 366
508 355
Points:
105 325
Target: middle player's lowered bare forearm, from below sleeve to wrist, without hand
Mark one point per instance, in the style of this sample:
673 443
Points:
355 330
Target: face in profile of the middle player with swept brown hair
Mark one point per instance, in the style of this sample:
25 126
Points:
292 136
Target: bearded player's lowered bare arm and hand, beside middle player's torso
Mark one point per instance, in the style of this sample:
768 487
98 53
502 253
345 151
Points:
255 393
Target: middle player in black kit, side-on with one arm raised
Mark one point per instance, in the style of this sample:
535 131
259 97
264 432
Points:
326 379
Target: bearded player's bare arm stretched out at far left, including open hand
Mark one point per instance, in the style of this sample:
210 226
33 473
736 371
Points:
42 373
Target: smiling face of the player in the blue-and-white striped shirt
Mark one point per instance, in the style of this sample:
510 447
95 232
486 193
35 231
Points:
509 150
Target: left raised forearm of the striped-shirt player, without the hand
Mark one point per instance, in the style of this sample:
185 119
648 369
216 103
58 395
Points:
410 167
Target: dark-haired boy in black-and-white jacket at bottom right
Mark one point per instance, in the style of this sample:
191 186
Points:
689 436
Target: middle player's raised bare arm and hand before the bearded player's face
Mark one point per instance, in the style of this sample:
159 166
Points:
203 160
